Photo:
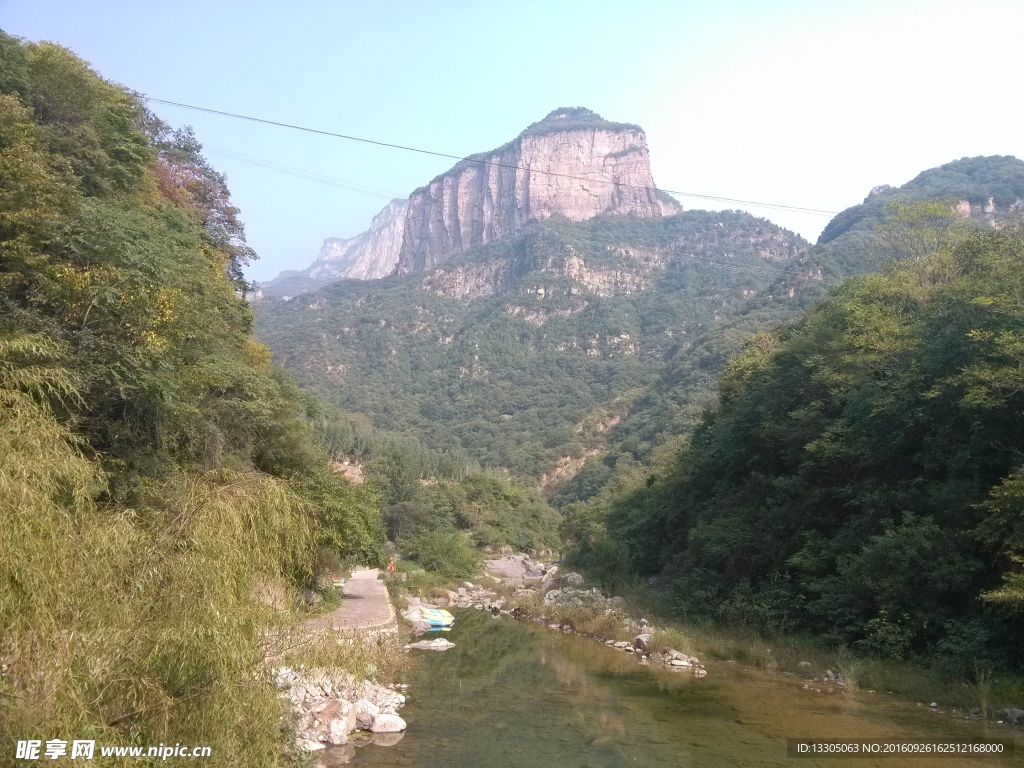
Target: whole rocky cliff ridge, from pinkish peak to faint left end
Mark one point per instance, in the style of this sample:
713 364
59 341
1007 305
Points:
573 164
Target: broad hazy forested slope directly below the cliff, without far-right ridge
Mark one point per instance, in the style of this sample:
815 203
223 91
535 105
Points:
523 354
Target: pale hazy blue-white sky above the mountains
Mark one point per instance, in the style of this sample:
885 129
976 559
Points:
807 104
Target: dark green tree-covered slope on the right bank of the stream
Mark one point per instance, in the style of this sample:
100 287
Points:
862 477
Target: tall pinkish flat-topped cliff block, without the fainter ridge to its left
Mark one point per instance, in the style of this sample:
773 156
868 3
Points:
589 168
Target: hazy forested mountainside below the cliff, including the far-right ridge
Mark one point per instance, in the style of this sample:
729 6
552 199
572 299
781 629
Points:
575 346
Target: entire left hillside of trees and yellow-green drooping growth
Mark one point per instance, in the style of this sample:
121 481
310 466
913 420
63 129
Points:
157 474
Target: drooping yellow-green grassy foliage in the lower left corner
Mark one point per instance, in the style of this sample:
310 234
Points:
133 625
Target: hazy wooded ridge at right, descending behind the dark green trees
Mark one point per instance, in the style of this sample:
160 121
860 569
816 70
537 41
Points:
973 193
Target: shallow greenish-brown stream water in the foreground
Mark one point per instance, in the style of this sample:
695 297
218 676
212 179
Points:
517 695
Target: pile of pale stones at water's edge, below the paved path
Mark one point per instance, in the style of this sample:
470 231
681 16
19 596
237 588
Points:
330 707
